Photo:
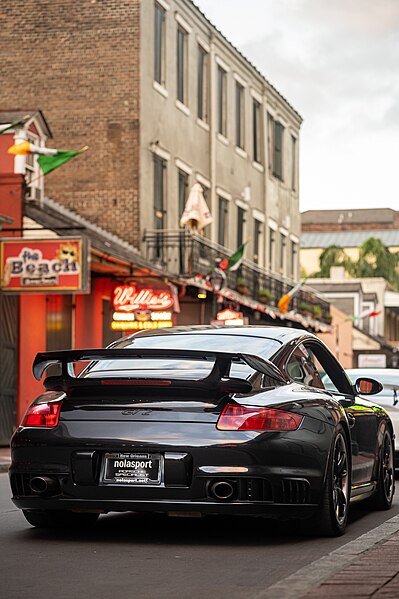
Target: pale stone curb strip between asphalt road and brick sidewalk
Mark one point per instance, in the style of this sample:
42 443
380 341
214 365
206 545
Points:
310 576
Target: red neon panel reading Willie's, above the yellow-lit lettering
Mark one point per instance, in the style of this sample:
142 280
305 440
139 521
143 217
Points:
127 298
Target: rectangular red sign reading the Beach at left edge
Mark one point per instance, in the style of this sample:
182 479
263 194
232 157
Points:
43 265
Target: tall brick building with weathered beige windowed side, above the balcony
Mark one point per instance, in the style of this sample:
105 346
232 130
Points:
163 100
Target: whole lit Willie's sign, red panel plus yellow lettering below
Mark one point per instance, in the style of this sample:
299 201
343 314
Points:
141 308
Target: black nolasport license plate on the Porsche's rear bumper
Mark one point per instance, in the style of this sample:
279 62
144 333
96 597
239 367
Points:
132 469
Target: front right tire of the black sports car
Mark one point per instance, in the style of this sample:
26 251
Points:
383 496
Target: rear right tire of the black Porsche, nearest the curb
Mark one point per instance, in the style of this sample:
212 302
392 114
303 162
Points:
332 515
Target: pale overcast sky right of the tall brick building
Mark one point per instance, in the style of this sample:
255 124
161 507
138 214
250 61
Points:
337 63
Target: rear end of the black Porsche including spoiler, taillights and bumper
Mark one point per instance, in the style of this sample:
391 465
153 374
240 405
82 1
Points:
210 445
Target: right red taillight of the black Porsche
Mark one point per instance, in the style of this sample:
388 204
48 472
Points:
243 418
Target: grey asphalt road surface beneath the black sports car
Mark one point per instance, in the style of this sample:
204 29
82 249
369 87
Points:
158 557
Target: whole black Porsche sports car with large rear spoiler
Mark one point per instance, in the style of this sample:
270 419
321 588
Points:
202 420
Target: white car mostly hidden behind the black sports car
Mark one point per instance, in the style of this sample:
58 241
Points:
388 397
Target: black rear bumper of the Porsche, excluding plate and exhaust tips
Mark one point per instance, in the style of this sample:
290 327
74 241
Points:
277 475
